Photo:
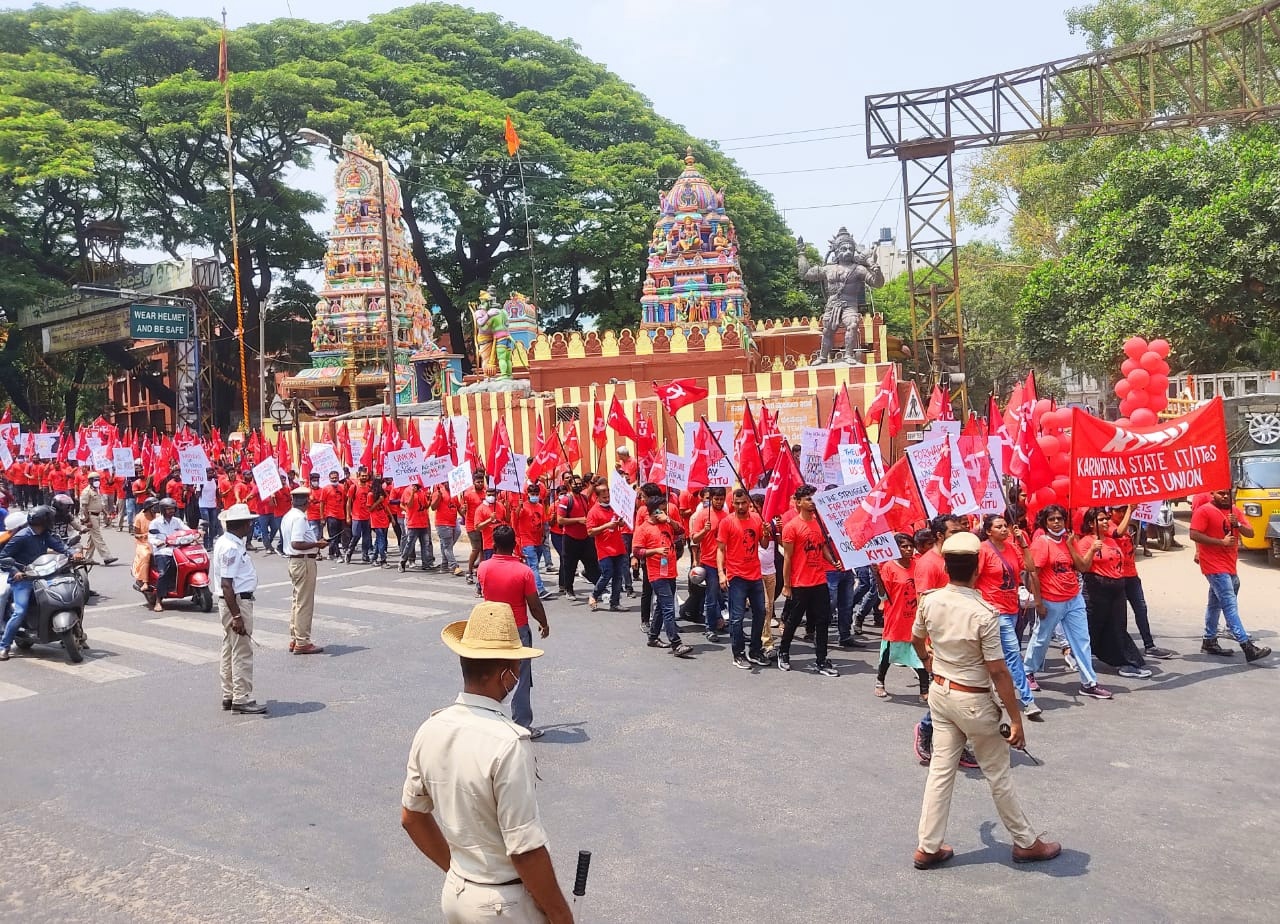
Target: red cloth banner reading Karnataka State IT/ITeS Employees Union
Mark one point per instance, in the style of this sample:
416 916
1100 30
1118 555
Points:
1119 465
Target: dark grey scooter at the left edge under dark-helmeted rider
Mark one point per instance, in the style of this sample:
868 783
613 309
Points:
57 610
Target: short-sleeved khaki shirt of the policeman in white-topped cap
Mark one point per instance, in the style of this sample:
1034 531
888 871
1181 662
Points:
964 632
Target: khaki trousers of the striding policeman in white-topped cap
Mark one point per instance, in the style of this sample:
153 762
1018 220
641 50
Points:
959 716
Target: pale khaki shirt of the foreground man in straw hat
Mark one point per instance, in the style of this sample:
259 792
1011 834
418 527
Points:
474 769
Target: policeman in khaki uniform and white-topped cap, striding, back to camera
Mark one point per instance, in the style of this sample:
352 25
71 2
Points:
964 656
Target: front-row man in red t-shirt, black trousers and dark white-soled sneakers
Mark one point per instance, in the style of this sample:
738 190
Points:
807 556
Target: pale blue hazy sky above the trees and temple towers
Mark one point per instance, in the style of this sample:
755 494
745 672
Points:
780 88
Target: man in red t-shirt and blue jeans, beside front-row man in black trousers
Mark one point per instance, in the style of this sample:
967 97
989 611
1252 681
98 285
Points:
739 539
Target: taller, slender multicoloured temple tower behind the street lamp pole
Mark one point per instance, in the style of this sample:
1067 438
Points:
349 335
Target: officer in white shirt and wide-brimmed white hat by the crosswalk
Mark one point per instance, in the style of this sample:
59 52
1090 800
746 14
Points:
235 580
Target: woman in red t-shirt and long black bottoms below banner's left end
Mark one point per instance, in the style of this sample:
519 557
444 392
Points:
1105 600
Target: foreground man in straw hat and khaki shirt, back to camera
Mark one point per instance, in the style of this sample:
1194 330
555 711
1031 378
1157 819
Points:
469 801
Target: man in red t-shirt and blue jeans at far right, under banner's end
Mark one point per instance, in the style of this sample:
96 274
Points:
1217 530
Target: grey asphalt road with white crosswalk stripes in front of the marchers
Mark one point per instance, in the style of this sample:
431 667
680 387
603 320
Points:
707 794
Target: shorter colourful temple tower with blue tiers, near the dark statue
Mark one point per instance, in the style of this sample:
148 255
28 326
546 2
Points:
694 277
